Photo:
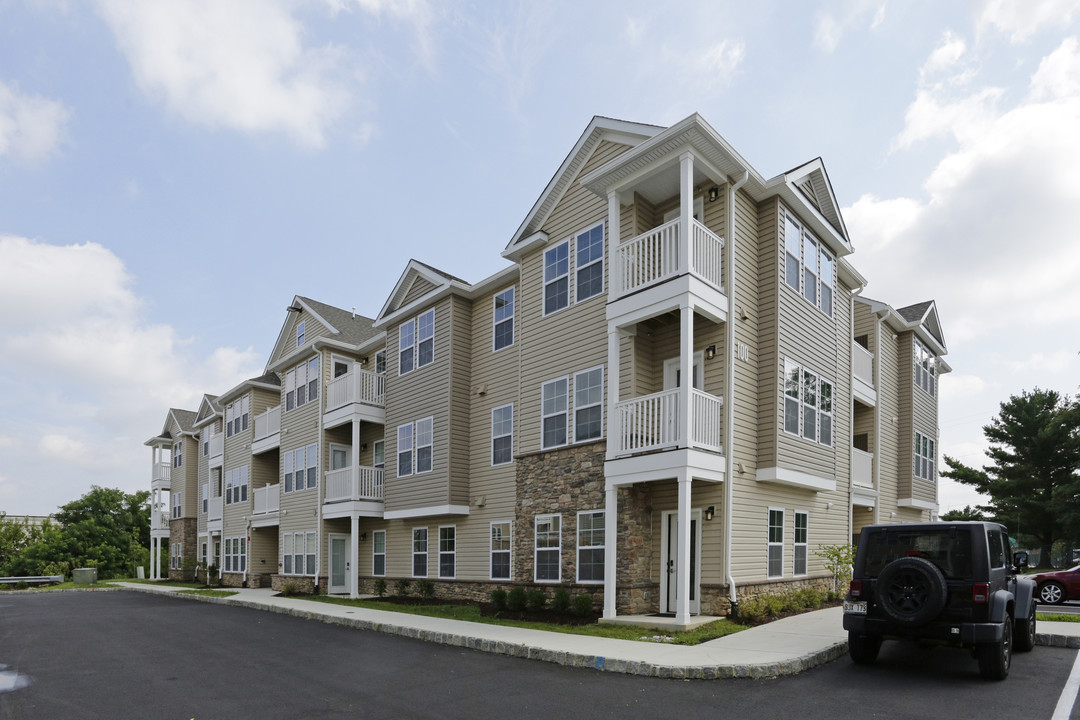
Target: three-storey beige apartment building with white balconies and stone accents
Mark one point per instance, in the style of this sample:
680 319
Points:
672 396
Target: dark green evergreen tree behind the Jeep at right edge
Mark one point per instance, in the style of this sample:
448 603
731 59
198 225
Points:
1034 478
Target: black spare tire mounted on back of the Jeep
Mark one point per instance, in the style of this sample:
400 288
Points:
912 591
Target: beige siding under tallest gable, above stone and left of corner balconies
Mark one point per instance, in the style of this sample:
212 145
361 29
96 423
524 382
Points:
572 339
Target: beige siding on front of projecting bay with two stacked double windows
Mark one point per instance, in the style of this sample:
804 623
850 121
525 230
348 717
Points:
423 393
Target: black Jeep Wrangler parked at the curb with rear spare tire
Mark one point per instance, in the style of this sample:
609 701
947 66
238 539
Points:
950 583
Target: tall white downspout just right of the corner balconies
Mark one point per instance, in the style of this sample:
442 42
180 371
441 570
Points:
730 382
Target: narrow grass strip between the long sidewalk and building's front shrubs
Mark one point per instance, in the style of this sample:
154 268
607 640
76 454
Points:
471 614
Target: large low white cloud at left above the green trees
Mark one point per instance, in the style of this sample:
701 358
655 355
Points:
87 375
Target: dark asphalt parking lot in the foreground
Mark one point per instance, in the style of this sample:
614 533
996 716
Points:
137 656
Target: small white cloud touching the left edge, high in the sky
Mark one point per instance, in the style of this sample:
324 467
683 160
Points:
32 128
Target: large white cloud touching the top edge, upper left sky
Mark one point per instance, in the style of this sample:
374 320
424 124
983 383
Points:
240 65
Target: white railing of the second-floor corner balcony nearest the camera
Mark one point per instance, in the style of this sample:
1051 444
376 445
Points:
652 423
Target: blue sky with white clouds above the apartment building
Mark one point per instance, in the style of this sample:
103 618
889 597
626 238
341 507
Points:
172 173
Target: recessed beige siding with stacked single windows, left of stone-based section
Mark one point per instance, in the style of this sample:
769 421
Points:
496 374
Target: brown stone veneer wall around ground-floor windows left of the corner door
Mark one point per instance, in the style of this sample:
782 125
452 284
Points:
568 481
